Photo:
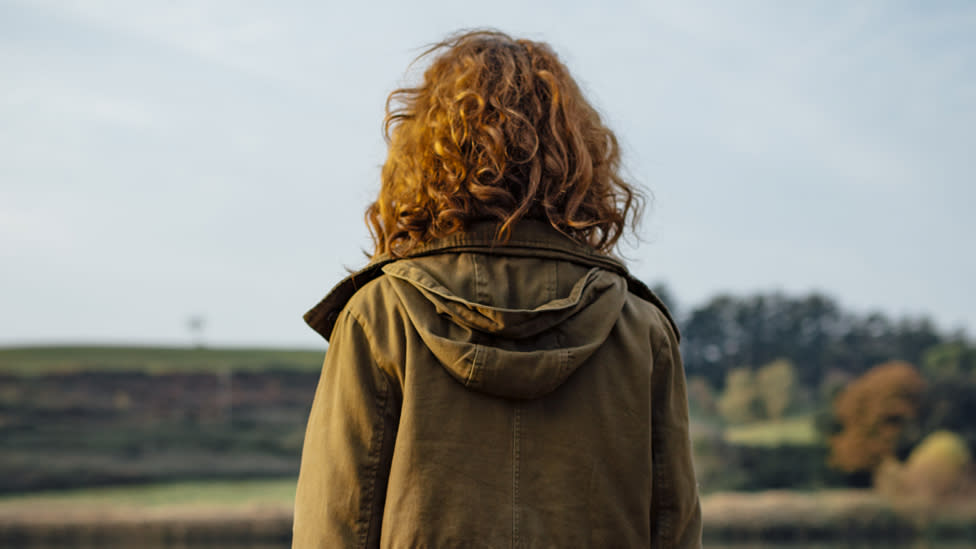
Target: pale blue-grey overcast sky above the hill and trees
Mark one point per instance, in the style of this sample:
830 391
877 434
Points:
165 159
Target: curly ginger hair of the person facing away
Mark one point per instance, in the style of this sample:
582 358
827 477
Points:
498 130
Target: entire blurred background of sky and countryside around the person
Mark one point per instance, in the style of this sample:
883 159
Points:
180 181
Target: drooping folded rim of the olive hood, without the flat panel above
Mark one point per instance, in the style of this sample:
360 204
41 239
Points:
512 353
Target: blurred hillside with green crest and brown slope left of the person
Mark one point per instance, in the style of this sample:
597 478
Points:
87 416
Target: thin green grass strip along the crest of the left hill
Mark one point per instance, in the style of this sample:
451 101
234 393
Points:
29 361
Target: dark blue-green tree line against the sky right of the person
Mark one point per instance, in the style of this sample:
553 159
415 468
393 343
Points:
814 332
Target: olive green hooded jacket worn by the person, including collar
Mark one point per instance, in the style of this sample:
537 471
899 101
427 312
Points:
476 394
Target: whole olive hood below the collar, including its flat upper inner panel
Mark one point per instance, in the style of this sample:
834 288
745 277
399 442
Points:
522 335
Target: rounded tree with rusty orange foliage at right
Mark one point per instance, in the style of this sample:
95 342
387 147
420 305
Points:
872 411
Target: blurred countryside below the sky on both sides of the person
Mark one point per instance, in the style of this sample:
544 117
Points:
810 423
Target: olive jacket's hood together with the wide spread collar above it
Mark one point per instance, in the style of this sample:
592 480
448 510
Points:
512 319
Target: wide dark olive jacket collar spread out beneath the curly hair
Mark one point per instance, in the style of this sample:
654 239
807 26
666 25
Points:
529 238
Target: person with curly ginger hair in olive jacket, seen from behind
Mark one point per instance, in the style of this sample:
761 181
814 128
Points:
495 376
